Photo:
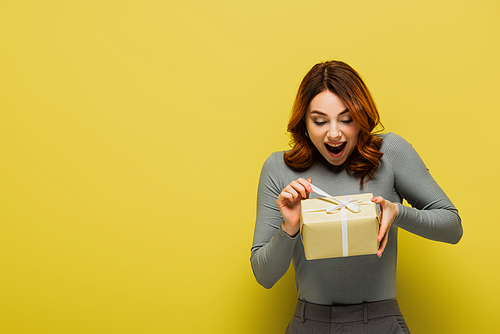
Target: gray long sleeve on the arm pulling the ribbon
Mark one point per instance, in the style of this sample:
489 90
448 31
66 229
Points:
272 248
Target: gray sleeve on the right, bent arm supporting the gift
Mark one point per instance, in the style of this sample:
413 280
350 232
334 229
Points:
432 216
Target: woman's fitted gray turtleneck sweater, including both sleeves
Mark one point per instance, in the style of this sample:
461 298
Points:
356 279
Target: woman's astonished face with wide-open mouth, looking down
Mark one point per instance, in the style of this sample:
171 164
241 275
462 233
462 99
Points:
331 128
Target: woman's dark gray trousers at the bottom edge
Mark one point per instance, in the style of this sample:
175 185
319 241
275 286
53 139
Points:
382 317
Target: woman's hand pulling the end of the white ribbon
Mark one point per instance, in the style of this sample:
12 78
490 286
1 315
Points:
288 203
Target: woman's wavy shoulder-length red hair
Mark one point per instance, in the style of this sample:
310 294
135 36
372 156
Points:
343 81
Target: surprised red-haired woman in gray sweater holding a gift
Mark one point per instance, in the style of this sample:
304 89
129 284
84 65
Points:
333 147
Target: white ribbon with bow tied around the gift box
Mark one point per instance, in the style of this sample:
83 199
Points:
350 204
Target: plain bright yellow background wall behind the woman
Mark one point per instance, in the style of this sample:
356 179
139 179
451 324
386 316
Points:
132 135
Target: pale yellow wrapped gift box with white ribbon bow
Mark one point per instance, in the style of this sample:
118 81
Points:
338 226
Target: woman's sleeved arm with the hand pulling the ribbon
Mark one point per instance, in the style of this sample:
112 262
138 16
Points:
272 248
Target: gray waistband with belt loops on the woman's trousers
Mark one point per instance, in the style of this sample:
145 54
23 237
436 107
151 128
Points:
347 313
